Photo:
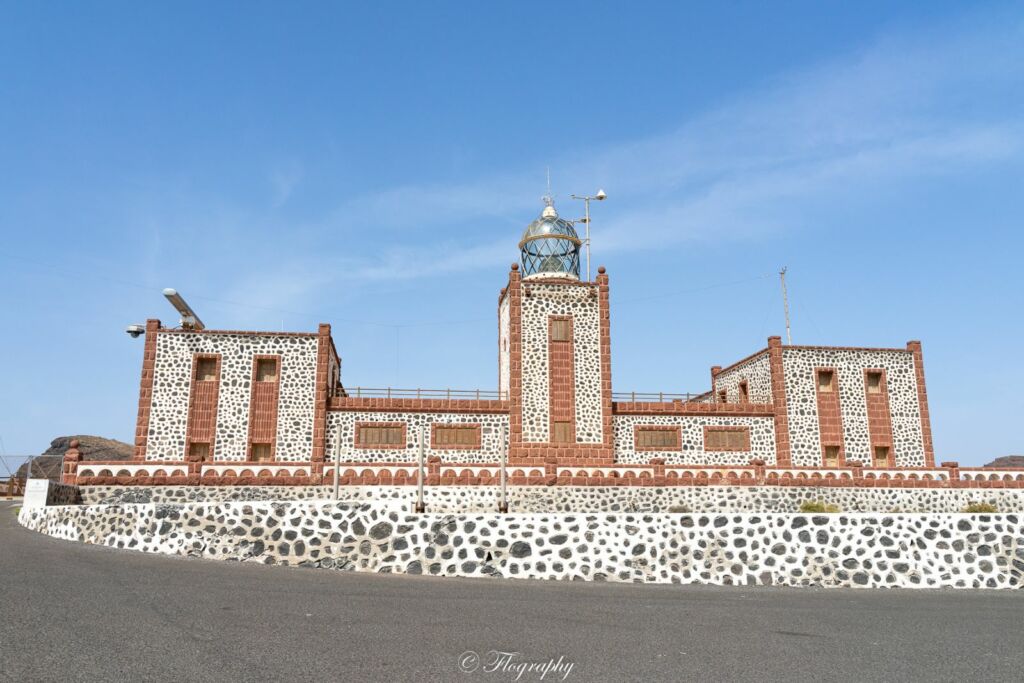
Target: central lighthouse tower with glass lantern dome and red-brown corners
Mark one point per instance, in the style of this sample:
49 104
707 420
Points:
554 351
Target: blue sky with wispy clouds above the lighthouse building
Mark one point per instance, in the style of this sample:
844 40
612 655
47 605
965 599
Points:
374 166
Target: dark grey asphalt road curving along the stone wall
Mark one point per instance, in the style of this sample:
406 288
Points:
72 612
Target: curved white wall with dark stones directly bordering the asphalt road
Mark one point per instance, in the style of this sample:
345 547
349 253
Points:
842 550
